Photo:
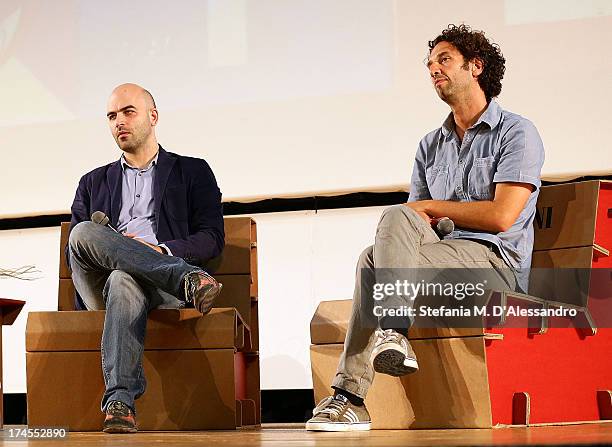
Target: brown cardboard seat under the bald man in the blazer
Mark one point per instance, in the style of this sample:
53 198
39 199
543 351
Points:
202 371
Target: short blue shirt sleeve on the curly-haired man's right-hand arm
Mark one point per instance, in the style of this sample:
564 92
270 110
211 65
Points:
521 155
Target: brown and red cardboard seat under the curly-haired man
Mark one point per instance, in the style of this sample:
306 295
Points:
485 377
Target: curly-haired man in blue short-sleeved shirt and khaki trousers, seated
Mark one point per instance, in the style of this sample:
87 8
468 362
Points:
481 169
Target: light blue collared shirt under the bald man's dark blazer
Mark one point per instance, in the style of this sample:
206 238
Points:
137 213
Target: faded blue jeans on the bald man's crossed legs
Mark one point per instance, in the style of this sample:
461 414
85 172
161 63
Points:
128 279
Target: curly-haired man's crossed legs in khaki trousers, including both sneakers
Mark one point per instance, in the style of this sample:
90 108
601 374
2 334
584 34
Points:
404 242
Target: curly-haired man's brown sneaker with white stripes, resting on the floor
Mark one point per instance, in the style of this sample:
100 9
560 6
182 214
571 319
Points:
336 413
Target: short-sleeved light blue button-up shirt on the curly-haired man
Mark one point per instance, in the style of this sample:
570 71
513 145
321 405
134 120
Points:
500 147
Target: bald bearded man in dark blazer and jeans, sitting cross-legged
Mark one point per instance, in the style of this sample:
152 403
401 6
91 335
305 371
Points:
165 223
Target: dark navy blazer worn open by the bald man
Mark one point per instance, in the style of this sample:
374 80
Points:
188 211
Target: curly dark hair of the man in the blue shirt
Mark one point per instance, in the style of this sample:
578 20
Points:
474 45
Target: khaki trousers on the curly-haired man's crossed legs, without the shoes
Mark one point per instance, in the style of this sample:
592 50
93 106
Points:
405 241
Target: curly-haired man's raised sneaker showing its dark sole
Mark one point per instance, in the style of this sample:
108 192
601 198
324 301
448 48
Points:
392 354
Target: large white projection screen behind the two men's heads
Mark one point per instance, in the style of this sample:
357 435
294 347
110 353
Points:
282 97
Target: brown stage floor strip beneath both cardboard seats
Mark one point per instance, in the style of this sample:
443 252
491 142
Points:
295 435
